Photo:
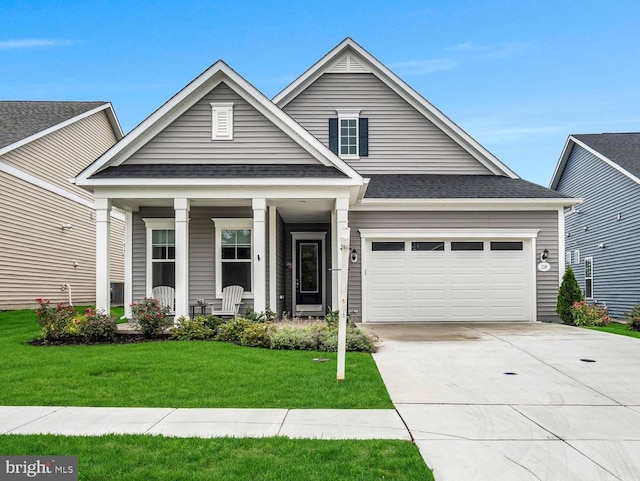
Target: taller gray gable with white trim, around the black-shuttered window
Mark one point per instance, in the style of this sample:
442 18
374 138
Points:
406 133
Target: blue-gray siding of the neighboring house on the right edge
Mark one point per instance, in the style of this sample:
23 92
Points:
606 194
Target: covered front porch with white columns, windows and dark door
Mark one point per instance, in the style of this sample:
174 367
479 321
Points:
282 247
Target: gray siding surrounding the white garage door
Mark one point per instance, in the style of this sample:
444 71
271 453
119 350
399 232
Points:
546 221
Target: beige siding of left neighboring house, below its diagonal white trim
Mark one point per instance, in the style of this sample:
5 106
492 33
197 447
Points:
37 256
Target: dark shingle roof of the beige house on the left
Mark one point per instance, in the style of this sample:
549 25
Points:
21 119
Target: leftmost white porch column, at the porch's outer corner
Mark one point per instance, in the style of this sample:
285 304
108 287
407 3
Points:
103 235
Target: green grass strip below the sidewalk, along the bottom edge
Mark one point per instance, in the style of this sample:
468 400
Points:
129 458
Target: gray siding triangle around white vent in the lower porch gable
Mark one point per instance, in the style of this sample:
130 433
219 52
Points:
188 139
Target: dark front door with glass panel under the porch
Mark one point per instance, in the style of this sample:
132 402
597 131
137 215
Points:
309 279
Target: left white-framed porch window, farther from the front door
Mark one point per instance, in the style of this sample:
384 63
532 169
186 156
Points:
161 252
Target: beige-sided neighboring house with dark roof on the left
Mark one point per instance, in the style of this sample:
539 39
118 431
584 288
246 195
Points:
47 224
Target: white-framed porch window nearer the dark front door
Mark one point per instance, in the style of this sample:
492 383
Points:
234 246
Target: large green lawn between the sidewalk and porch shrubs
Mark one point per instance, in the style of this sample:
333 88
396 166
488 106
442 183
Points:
177 374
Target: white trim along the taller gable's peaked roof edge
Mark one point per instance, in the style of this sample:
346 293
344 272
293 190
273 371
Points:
413 98
